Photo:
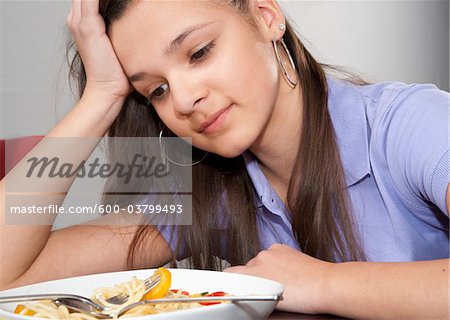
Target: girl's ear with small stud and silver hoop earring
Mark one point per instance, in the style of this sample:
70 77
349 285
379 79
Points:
269 16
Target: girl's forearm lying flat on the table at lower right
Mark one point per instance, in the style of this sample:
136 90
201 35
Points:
404 290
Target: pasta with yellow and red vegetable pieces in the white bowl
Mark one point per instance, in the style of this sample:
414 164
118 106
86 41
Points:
135 289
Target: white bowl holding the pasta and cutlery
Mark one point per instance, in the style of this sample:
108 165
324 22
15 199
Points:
193 281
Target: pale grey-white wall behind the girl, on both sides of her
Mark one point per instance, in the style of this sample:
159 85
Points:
404 40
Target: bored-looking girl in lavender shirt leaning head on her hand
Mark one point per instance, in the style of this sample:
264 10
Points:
335 188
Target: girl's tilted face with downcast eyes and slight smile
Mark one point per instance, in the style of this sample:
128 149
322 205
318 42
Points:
209 74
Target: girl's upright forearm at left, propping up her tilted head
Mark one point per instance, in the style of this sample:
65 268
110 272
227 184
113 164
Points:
71 141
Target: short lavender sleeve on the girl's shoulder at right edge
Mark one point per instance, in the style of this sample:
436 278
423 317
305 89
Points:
416 133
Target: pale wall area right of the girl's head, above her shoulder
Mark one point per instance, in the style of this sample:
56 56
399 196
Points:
383 40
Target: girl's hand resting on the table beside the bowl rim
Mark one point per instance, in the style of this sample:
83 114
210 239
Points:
304 277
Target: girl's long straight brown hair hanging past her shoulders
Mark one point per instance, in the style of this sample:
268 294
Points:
317 199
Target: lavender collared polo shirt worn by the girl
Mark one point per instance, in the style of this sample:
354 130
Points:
394 145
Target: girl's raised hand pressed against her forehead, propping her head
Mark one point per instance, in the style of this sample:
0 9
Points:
103 71
